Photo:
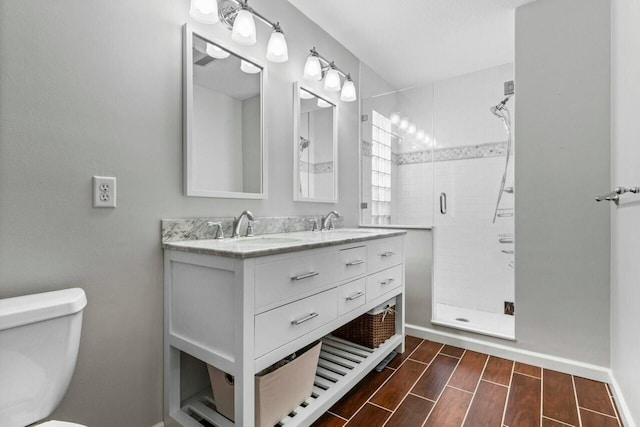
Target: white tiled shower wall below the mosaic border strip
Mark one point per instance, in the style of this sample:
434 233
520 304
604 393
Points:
470 268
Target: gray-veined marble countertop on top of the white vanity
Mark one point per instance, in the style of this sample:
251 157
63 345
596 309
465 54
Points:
270 244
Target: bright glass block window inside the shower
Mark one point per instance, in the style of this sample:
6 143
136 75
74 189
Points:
381 140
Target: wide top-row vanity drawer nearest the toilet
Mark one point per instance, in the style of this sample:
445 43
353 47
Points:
280 280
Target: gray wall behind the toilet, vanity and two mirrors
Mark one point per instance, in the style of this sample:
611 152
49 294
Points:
94 88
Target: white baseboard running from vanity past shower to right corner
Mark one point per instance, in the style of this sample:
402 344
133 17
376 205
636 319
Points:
573 367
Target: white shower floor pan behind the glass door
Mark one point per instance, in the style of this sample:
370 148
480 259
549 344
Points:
482 322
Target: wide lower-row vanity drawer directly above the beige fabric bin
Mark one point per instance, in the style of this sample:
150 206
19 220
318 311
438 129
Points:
279 326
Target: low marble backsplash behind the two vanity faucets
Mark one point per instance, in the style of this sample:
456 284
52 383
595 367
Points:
197 228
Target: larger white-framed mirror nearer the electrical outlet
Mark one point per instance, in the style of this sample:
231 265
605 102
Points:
224 146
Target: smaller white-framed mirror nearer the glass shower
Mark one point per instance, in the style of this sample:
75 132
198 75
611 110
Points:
315 147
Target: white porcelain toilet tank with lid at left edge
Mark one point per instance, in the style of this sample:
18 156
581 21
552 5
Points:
39 339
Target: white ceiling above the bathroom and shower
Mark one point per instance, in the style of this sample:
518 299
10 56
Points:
413 42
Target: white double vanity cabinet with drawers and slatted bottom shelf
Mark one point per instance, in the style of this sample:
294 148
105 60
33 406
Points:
243 312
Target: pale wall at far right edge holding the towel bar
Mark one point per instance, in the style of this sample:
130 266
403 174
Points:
625 219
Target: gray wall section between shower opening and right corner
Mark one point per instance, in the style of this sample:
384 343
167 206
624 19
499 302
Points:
562 160
